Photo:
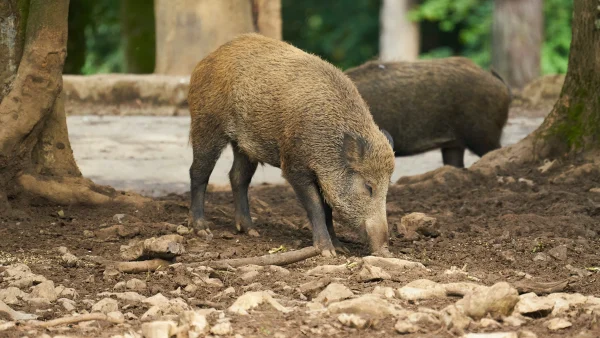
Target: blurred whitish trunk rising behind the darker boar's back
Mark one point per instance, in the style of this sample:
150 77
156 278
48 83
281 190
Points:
399 38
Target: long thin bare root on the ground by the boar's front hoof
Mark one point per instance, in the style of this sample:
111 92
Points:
280 259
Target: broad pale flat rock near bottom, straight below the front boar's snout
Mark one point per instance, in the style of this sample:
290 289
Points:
369 305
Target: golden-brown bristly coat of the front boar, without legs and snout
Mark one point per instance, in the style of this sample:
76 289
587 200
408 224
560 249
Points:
284 107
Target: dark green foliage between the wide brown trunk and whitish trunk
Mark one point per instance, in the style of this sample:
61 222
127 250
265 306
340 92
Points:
345 33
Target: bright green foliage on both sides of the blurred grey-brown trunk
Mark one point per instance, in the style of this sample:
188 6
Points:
473 18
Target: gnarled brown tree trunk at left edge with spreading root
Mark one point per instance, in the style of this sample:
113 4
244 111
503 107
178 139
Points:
35 153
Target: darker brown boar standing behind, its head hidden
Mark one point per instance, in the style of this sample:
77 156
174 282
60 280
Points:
448 103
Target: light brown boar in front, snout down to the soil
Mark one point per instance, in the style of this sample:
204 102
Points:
276 104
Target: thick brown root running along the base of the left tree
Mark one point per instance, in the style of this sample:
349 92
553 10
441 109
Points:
76 190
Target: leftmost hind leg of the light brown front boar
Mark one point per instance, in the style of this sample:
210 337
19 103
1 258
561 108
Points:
205 157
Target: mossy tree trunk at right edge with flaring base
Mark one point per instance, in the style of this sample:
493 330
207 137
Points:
573 125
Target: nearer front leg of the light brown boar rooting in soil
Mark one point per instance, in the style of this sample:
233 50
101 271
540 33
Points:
310 197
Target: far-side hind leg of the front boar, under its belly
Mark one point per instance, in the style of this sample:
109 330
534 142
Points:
240 176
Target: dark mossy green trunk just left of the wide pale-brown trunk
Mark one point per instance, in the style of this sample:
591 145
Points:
138 35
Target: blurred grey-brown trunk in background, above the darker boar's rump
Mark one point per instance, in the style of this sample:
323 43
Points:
517 37
